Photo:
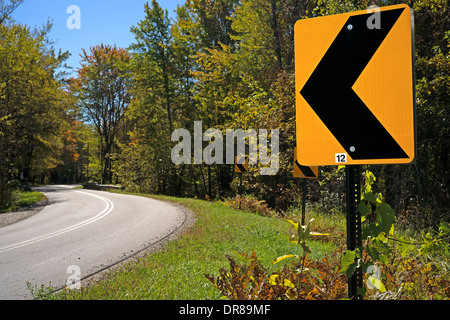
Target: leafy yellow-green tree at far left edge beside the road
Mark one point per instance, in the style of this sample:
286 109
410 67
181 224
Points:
32 106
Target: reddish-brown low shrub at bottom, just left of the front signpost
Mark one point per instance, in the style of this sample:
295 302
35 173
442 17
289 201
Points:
318 280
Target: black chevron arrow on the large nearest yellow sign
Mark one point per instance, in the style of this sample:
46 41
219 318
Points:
329 89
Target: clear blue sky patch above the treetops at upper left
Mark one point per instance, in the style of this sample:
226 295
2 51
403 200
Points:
102 21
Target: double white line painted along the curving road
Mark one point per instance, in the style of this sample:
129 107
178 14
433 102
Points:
109 207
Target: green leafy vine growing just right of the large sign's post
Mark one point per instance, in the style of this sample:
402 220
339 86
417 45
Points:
380 248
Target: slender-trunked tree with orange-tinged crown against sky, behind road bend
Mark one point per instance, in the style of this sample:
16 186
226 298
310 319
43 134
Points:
102 90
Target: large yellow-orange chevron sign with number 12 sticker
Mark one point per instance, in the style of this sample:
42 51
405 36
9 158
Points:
355 88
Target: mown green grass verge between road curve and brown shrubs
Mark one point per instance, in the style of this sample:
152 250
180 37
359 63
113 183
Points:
177 271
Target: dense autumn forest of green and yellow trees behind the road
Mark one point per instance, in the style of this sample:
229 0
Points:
226 63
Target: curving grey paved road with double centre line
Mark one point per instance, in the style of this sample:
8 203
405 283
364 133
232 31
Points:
79 233
